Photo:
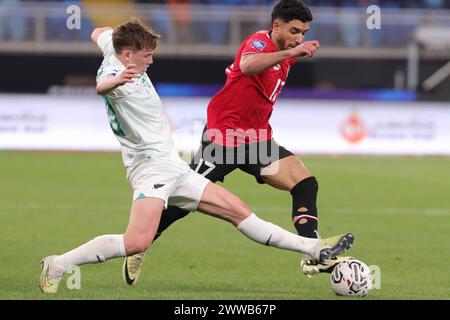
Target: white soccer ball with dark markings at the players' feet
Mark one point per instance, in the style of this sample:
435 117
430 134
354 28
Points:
351 278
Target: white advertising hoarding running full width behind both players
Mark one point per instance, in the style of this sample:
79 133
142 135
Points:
46 122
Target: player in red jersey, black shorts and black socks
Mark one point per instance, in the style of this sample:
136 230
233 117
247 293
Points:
238 134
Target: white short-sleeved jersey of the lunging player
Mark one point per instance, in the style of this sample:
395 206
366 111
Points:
135 112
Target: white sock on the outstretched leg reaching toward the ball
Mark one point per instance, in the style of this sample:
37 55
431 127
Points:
272 235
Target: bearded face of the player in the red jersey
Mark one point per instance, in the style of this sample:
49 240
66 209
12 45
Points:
289 34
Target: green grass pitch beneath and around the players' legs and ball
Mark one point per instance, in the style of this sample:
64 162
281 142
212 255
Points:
398 209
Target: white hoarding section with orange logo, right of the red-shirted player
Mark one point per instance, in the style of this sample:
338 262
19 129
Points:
361 127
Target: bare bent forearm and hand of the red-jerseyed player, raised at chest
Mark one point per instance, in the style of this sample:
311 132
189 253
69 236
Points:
255 63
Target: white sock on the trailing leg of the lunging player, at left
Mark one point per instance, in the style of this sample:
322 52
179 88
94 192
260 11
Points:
97 250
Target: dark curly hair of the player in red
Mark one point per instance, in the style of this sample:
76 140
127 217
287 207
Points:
288 10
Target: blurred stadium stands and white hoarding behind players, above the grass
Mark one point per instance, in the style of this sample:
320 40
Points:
342 101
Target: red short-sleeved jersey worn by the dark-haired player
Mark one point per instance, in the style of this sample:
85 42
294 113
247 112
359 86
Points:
240 111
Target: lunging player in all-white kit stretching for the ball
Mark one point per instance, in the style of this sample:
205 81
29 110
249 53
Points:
156 173
